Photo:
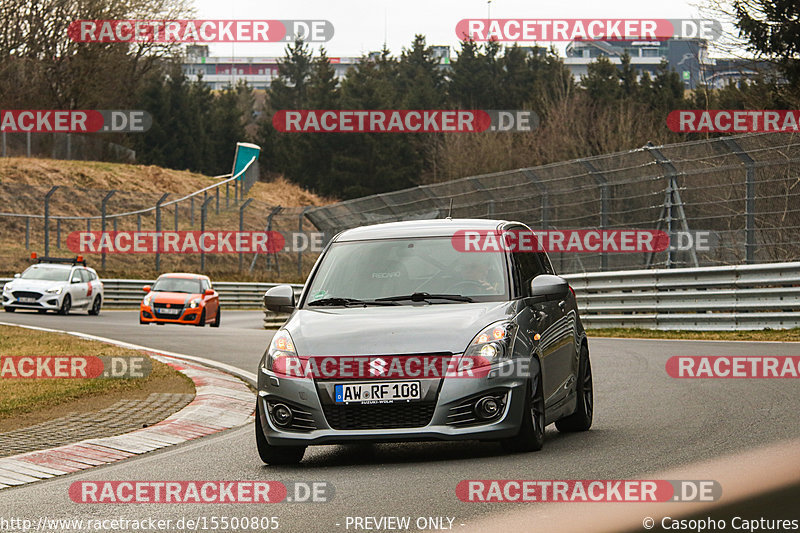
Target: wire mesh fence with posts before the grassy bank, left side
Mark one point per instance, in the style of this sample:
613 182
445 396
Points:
51 216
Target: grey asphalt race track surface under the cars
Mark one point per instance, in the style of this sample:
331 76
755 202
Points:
645 421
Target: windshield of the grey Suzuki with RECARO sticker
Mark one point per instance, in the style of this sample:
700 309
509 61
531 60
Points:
369 270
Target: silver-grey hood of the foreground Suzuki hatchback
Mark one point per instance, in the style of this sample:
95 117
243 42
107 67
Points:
395 330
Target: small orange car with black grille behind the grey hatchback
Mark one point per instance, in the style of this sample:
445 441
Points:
180 298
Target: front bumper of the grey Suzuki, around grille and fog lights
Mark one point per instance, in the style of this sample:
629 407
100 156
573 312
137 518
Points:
302 396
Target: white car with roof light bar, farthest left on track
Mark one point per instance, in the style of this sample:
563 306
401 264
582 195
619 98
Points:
55 284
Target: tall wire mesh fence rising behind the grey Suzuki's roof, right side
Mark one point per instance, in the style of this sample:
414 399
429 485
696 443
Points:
729 200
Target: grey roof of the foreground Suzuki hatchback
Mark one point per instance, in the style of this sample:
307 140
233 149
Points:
441 227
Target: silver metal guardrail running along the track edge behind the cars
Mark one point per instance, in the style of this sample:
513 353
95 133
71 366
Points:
712 298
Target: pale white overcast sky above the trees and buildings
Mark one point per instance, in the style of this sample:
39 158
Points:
362 26
